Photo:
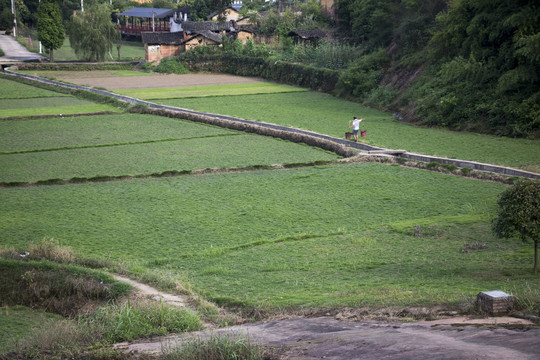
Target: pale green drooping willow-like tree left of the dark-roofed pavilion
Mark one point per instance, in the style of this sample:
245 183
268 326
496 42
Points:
92 33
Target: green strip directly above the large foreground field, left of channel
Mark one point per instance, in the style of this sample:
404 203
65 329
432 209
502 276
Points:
156 157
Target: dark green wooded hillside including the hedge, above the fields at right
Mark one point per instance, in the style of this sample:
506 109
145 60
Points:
465 65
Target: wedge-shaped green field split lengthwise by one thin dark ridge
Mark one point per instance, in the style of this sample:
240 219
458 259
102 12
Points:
131 144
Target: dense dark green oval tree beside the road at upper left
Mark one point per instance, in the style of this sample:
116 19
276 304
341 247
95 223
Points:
49 26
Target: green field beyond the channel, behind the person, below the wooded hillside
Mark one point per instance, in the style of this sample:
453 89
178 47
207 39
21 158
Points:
329 115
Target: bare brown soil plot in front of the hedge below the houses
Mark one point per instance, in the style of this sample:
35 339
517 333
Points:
111 81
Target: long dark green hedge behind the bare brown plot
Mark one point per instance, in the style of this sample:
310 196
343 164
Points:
287 73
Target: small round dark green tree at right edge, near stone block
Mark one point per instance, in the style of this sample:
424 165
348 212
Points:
519 214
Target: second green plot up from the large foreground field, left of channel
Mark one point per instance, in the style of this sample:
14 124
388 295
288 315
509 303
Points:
88 131
